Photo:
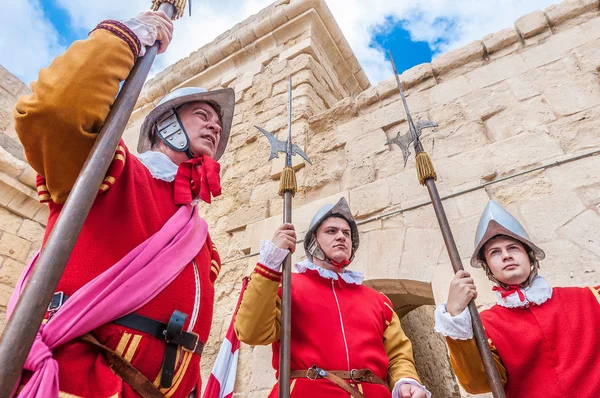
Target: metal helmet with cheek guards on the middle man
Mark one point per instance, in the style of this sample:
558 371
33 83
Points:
340 209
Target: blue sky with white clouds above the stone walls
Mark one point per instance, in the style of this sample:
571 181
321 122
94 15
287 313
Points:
33 32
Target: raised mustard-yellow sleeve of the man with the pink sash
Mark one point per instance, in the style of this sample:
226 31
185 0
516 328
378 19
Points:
58 123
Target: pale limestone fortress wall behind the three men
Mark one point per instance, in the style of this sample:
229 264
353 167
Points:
524 101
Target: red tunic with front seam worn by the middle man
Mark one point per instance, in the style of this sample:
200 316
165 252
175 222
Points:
337 326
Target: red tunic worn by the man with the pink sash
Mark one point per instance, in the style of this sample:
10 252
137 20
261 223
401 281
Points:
133 206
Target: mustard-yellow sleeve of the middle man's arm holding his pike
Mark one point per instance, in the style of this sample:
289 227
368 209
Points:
258 320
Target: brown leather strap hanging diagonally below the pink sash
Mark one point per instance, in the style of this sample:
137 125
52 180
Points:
125 370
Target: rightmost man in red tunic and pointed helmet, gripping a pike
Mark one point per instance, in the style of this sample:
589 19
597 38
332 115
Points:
544 340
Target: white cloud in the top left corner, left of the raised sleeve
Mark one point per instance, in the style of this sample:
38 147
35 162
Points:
28 42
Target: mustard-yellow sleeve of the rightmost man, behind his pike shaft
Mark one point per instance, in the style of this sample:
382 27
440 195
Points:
468 366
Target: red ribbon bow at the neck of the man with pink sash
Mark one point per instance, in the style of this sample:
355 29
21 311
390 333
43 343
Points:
197 177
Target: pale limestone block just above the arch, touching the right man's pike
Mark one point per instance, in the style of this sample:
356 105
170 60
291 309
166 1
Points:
422 249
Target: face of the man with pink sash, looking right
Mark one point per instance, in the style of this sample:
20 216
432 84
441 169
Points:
203 127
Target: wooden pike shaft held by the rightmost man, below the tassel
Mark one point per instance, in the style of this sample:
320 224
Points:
480 337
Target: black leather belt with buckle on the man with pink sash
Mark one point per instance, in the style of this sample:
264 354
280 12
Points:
172 333
